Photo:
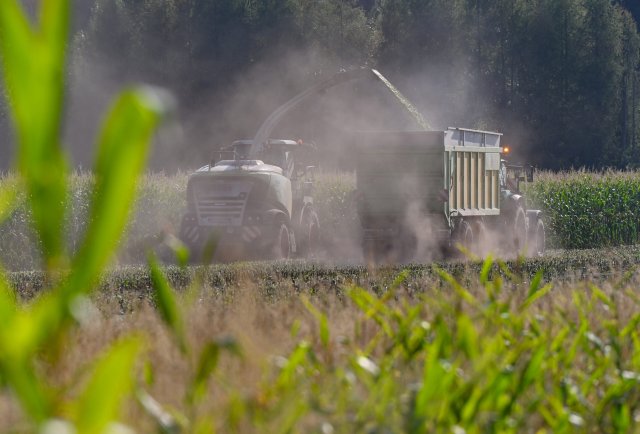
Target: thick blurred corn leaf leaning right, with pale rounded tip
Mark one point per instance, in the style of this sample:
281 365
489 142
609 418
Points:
120 160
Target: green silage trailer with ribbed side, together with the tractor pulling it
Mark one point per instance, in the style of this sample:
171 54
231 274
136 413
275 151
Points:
424 194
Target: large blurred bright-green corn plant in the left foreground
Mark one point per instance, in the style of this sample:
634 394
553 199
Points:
33 60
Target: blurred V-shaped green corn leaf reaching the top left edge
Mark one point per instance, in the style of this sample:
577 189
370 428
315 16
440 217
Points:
33 61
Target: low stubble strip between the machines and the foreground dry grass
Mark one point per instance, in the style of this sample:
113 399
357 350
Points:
278 280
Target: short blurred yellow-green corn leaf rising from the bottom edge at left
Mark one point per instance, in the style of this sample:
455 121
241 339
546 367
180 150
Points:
112 381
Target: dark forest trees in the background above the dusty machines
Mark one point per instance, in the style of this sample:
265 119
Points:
558 77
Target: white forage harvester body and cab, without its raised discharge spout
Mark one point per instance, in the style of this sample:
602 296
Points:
252 205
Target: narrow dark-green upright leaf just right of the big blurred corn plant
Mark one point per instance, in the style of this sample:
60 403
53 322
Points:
167 304
